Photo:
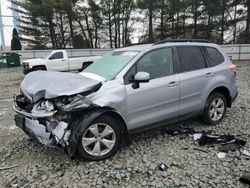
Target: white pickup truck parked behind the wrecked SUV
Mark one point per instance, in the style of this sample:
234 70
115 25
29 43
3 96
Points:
58 60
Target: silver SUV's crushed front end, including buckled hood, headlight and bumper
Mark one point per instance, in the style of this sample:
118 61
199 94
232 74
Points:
44 109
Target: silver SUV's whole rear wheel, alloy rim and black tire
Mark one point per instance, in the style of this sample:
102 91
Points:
215 108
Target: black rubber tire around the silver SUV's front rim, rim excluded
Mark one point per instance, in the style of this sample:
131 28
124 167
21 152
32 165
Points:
114 124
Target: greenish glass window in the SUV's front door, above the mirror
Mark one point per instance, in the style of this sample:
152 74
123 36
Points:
158 63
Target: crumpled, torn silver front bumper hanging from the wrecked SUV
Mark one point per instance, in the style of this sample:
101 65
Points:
42 129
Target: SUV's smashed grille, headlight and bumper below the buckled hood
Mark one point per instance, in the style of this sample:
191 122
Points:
48 121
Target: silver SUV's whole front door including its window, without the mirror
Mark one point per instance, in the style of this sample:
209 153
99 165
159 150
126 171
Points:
157 100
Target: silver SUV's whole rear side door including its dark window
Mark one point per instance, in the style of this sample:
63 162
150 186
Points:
194 77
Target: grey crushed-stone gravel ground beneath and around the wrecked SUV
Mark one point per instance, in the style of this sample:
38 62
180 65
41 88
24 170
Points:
135 165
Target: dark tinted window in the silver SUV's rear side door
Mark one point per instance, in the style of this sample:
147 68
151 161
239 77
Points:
190 58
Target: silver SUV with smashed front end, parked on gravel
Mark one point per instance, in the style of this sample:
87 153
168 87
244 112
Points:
129 89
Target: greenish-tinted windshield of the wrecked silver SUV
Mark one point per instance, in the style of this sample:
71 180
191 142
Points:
111 64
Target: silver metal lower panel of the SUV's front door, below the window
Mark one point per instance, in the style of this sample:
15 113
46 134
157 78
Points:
152 102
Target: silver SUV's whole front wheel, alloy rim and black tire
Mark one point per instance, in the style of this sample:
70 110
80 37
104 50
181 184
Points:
101 139
